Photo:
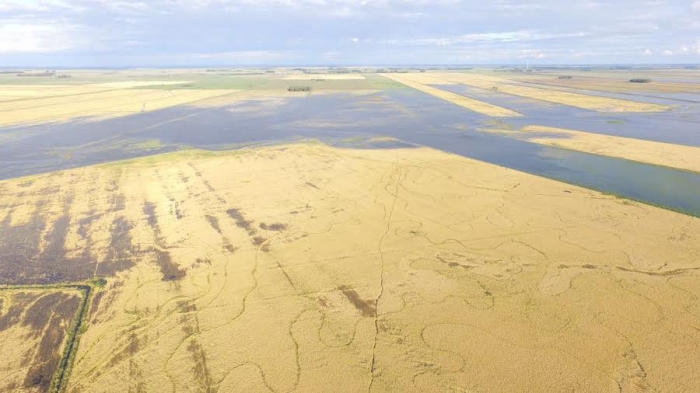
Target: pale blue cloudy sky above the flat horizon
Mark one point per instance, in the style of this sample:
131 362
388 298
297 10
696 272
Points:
122 33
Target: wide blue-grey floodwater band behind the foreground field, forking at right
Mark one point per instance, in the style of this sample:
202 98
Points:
348 120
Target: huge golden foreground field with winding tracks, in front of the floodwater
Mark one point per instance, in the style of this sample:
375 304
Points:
310 268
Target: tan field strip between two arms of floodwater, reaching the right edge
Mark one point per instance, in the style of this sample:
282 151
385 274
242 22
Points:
657 153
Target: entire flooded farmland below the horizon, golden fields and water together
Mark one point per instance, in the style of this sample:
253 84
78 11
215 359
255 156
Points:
210 230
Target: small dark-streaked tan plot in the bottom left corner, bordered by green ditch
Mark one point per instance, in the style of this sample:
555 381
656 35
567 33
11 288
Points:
34 325
